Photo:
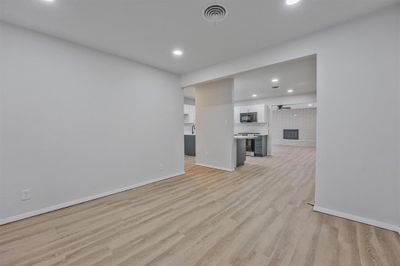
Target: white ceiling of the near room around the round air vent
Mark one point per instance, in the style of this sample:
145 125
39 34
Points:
147 30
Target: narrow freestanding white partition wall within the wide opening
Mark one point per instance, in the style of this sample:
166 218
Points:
214 125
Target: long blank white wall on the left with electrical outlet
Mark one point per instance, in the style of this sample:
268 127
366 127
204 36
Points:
76 123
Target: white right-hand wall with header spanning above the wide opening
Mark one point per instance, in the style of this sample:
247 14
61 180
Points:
357 69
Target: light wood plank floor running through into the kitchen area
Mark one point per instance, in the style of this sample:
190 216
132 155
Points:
254 216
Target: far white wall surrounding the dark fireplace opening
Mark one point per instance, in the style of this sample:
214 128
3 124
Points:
305 120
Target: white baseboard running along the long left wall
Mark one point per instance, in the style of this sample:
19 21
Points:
82 200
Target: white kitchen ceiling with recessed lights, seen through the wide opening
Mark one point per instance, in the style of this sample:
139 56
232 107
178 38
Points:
298 75
